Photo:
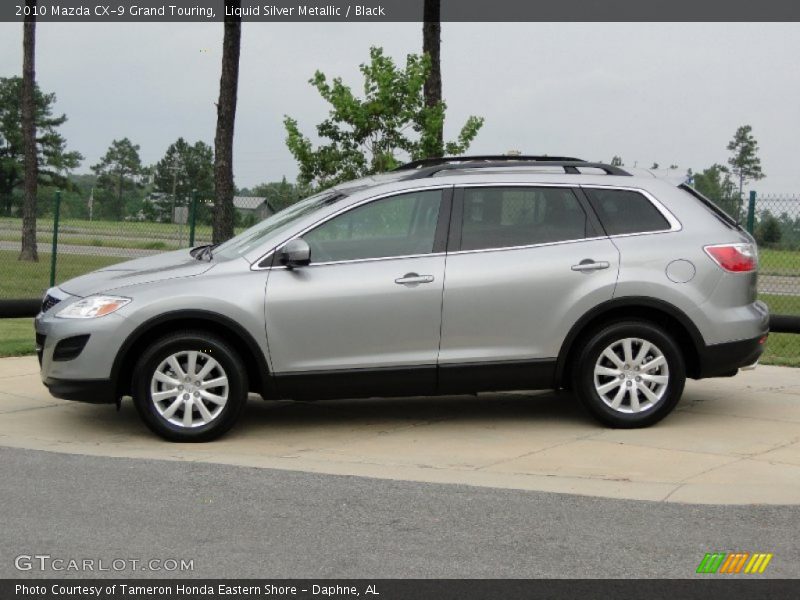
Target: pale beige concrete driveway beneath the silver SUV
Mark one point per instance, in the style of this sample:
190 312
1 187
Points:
731 441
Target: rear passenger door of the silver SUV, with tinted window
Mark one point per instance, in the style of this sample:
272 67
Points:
525 263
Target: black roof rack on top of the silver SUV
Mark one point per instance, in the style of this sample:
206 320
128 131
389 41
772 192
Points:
427 167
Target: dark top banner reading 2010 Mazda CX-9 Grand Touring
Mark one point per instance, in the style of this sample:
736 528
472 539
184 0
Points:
276 11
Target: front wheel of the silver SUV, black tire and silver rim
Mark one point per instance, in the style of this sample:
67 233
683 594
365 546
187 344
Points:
163 389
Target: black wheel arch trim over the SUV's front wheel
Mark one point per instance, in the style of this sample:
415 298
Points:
226 328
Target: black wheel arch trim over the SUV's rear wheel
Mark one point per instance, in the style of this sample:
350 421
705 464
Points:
674 320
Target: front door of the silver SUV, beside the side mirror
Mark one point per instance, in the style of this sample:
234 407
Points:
364 317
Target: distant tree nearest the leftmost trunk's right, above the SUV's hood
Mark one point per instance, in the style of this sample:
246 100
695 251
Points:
118 172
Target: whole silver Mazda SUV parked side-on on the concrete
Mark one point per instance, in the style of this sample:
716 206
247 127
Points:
446 276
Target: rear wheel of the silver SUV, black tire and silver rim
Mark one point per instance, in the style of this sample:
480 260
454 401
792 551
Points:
629 389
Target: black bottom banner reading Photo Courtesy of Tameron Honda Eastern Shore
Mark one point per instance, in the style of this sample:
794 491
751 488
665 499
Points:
388 589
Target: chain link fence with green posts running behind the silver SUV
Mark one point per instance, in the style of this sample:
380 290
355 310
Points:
83 244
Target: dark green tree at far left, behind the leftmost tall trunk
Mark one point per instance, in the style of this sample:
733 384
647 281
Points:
53 161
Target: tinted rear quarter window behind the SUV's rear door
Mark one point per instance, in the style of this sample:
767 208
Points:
626 211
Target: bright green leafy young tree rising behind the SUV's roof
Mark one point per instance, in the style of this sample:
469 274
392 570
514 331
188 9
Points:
367 135
